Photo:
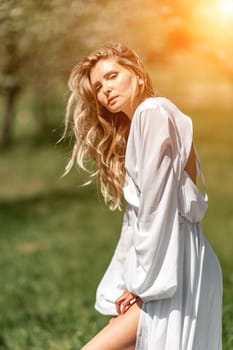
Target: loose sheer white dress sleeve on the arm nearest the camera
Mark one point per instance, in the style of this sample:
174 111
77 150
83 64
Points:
151 266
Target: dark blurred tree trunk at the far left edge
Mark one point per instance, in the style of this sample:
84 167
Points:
10 97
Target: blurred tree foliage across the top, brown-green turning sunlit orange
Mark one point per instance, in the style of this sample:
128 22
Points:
40 41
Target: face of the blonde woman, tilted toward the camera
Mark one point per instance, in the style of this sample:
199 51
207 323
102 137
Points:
114 86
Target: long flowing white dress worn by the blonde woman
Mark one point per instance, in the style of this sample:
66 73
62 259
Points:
162 255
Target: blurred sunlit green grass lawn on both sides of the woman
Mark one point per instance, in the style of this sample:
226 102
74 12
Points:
57 238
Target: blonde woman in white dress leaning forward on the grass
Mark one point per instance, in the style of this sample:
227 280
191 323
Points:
163 286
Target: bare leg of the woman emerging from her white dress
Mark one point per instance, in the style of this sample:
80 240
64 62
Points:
119 334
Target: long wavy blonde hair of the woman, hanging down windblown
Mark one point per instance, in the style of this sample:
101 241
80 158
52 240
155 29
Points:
99 134
